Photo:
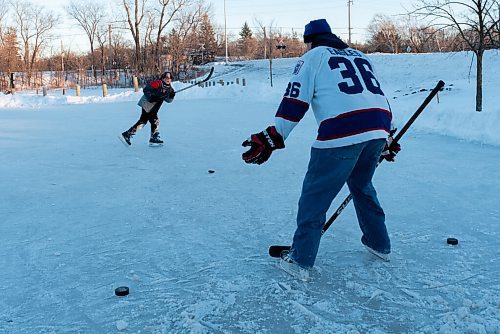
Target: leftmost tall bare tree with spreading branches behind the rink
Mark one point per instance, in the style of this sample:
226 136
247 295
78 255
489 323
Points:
34 24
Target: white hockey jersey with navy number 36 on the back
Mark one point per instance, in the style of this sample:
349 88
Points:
344 93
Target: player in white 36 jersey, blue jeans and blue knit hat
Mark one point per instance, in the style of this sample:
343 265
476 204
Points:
354 119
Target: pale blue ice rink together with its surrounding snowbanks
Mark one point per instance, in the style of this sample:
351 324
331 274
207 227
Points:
81 214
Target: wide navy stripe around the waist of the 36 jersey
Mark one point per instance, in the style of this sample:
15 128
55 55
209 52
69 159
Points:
355 122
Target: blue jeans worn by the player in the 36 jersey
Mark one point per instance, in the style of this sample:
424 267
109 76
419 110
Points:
329 169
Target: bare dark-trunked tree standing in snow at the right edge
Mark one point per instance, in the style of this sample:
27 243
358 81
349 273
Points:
474 20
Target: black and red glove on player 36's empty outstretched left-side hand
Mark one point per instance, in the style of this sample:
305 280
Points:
262 145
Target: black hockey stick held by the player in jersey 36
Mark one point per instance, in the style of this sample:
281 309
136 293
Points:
275 250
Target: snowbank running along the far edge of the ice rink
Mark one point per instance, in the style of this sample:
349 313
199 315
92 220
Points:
406 79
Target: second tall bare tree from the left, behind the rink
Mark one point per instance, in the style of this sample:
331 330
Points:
90 16
